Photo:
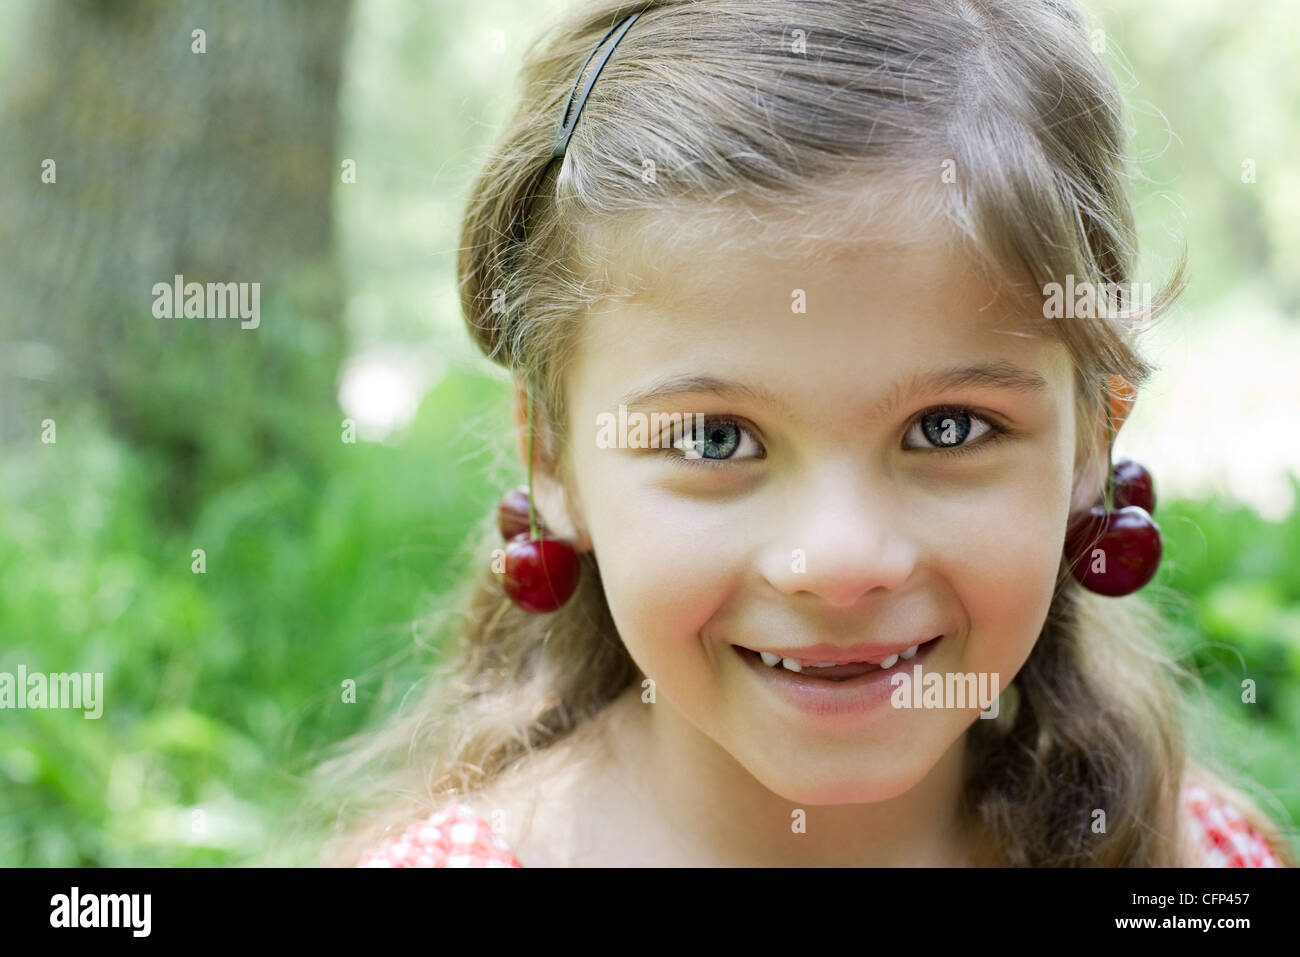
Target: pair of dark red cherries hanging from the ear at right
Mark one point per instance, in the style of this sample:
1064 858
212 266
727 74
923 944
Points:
1115 552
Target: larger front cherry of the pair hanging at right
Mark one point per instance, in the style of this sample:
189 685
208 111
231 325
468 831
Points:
1115 555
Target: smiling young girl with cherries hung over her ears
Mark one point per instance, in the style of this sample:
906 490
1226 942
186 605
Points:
812 432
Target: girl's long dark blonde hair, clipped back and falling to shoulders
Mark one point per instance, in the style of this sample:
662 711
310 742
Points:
886 96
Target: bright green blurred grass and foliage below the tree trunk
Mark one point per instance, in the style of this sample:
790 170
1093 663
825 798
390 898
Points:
216 685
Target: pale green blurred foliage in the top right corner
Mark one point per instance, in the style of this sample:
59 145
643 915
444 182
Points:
1208 90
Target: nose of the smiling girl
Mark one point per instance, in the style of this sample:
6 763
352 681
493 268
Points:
844 539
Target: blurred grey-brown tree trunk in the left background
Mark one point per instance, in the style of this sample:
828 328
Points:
215 166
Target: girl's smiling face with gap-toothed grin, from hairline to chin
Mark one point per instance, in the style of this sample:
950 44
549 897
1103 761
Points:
822 508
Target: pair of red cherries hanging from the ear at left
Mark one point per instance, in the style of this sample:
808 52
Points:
541 574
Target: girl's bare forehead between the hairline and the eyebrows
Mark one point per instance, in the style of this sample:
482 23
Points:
835 323
